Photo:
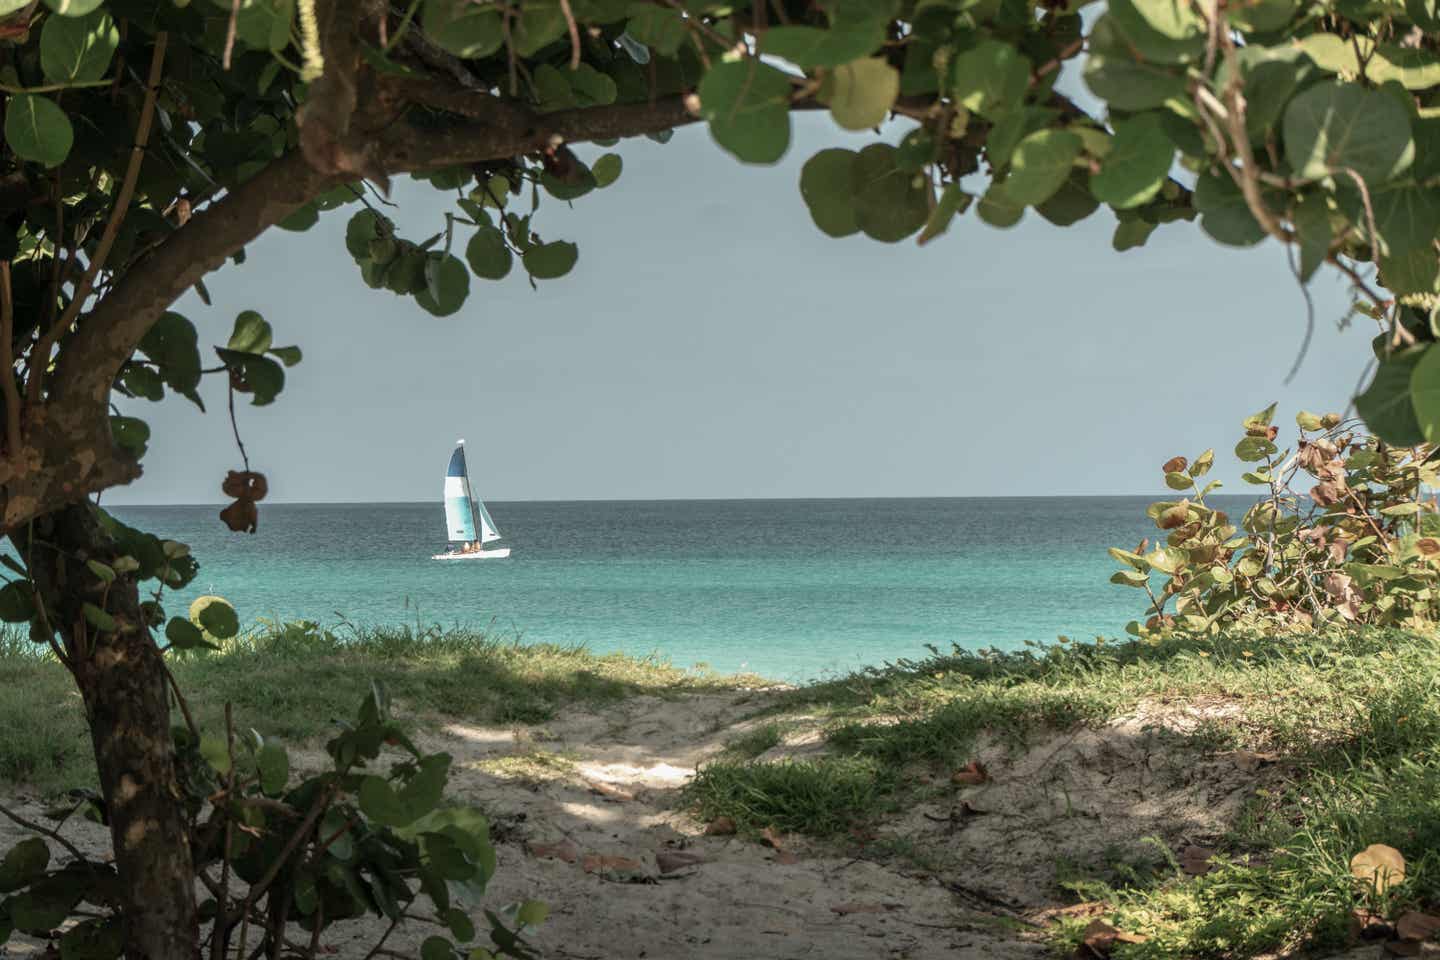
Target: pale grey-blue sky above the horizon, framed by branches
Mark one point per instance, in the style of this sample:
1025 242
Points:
712 343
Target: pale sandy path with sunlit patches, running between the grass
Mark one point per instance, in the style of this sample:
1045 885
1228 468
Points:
604 785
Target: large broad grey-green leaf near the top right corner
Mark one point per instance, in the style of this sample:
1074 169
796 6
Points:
1336 127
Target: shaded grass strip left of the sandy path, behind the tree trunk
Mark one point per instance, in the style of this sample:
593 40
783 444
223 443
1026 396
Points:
297 681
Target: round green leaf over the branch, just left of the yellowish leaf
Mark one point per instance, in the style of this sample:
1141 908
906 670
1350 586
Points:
747 104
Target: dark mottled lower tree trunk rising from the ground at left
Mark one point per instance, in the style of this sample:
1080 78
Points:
123 681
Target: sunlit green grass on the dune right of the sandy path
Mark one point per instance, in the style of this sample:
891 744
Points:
1356 716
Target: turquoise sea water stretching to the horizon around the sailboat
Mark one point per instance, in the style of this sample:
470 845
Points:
788 589
